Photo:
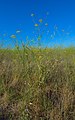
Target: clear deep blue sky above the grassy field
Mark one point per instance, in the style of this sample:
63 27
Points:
16 15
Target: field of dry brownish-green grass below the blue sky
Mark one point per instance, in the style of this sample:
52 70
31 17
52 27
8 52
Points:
37 84
